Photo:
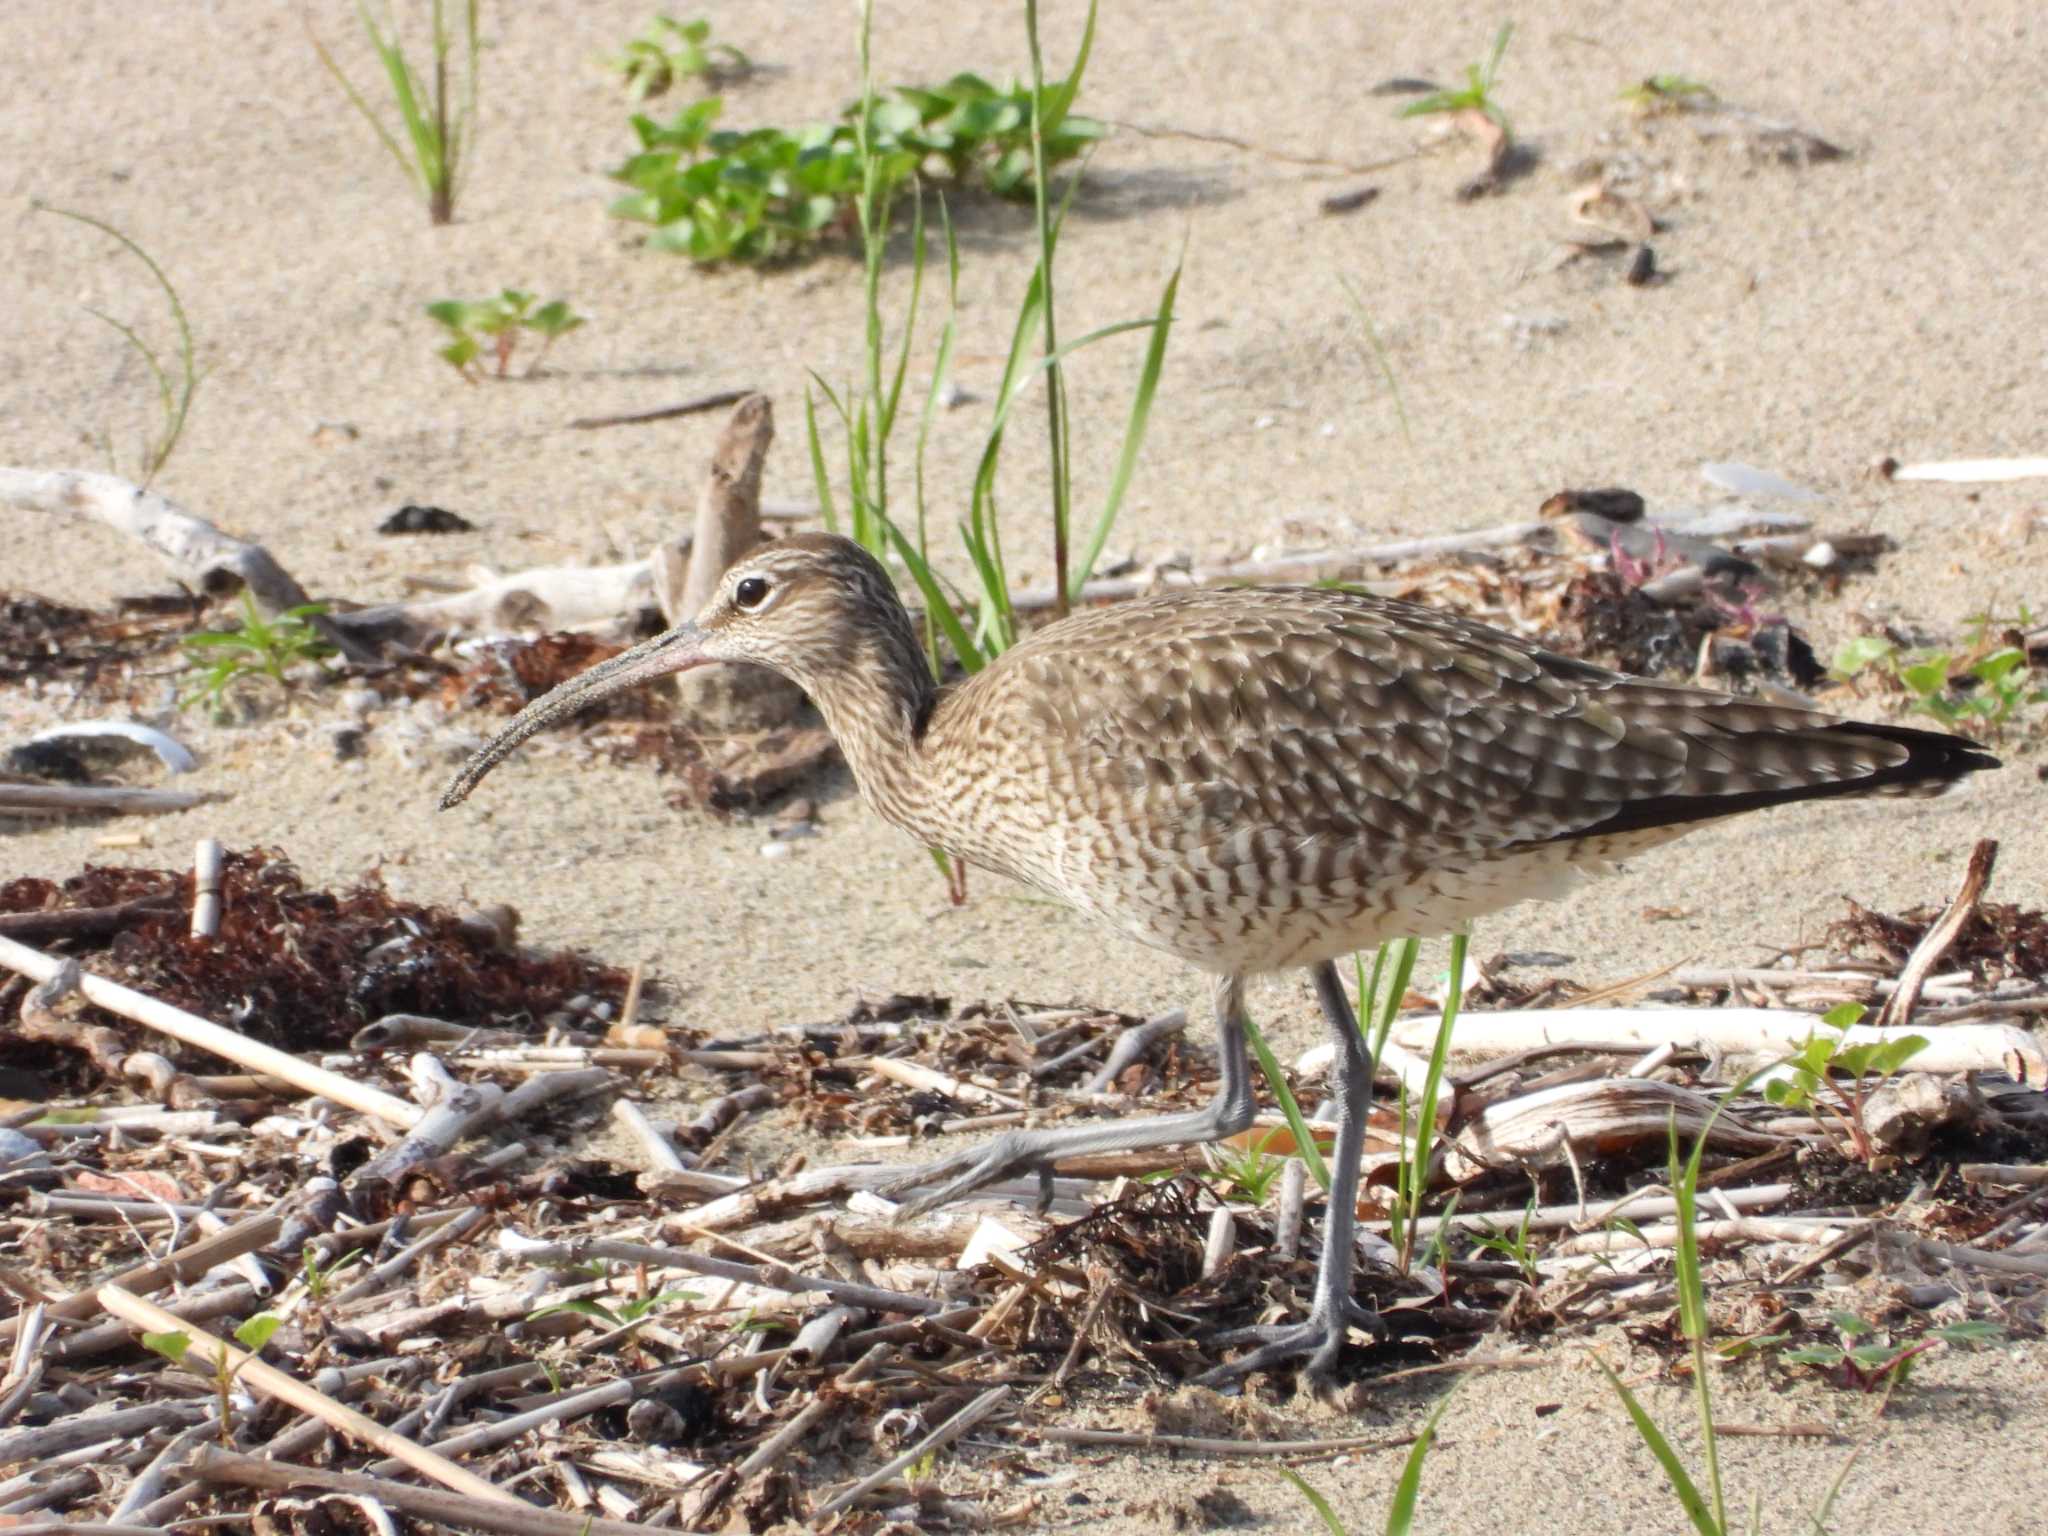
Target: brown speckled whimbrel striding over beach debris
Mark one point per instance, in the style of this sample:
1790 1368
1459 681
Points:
1254 781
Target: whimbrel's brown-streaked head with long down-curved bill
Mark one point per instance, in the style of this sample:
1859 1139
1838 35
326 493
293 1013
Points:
806 607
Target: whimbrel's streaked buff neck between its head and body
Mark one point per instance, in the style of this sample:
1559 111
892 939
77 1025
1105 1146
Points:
878 701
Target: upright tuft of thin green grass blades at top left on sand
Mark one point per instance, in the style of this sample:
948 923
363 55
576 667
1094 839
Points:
435 116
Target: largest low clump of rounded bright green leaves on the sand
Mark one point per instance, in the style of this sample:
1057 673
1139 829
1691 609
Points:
724 196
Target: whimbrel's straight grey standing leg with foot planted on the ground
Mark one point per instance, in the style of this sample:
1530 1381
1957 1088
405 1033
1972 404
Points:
1332 1314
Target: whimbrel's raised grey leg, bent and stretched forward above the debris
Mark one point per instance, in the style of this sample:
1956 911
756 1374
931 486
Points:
1019 1152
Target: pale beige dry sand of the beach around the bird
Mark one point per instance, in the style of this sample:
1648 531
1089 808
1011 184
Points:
1814 321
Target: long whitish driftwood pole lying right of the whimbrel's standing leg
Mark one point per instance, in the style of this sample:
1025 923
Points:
1746 1031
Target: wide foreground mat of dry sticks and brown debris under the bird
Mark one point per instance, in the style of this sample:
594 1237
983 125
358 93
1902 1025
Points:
470 1289
